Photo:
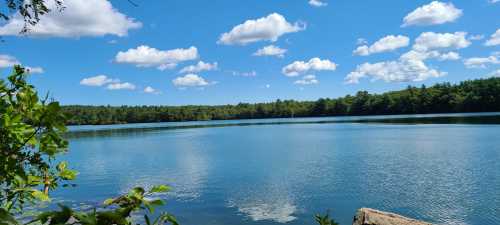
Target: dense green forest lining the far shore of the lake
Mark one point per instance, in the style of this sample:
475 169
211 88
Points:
481 95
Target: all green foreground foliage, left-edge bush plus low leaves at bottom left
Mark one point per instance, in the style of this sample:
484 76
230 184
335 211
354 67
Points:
30 140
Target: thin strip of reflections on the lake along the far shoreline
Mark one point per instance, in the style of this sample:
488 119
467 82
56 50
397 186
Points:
142 129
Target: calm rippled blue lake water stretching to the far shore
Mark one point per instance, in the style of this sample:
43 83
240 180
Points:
285 170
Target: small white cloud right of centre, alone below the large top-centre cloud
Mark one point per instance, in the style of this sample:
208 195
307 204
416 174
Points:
299 67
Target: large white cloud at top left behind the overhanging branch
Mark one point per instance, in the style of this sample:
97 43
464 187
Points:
79 18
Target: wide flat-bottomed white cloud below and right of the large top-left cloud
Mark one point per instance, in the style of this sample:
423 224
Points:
145 56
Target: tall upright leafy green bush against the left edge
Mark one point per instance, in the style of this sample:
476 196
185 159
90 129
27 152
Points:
30 139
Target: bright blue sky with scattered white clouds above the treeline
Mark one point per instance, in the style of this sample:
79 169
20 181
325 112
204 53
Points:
91 53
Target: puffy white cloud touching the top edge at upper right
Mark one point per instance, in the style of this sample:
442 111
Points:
433 13
